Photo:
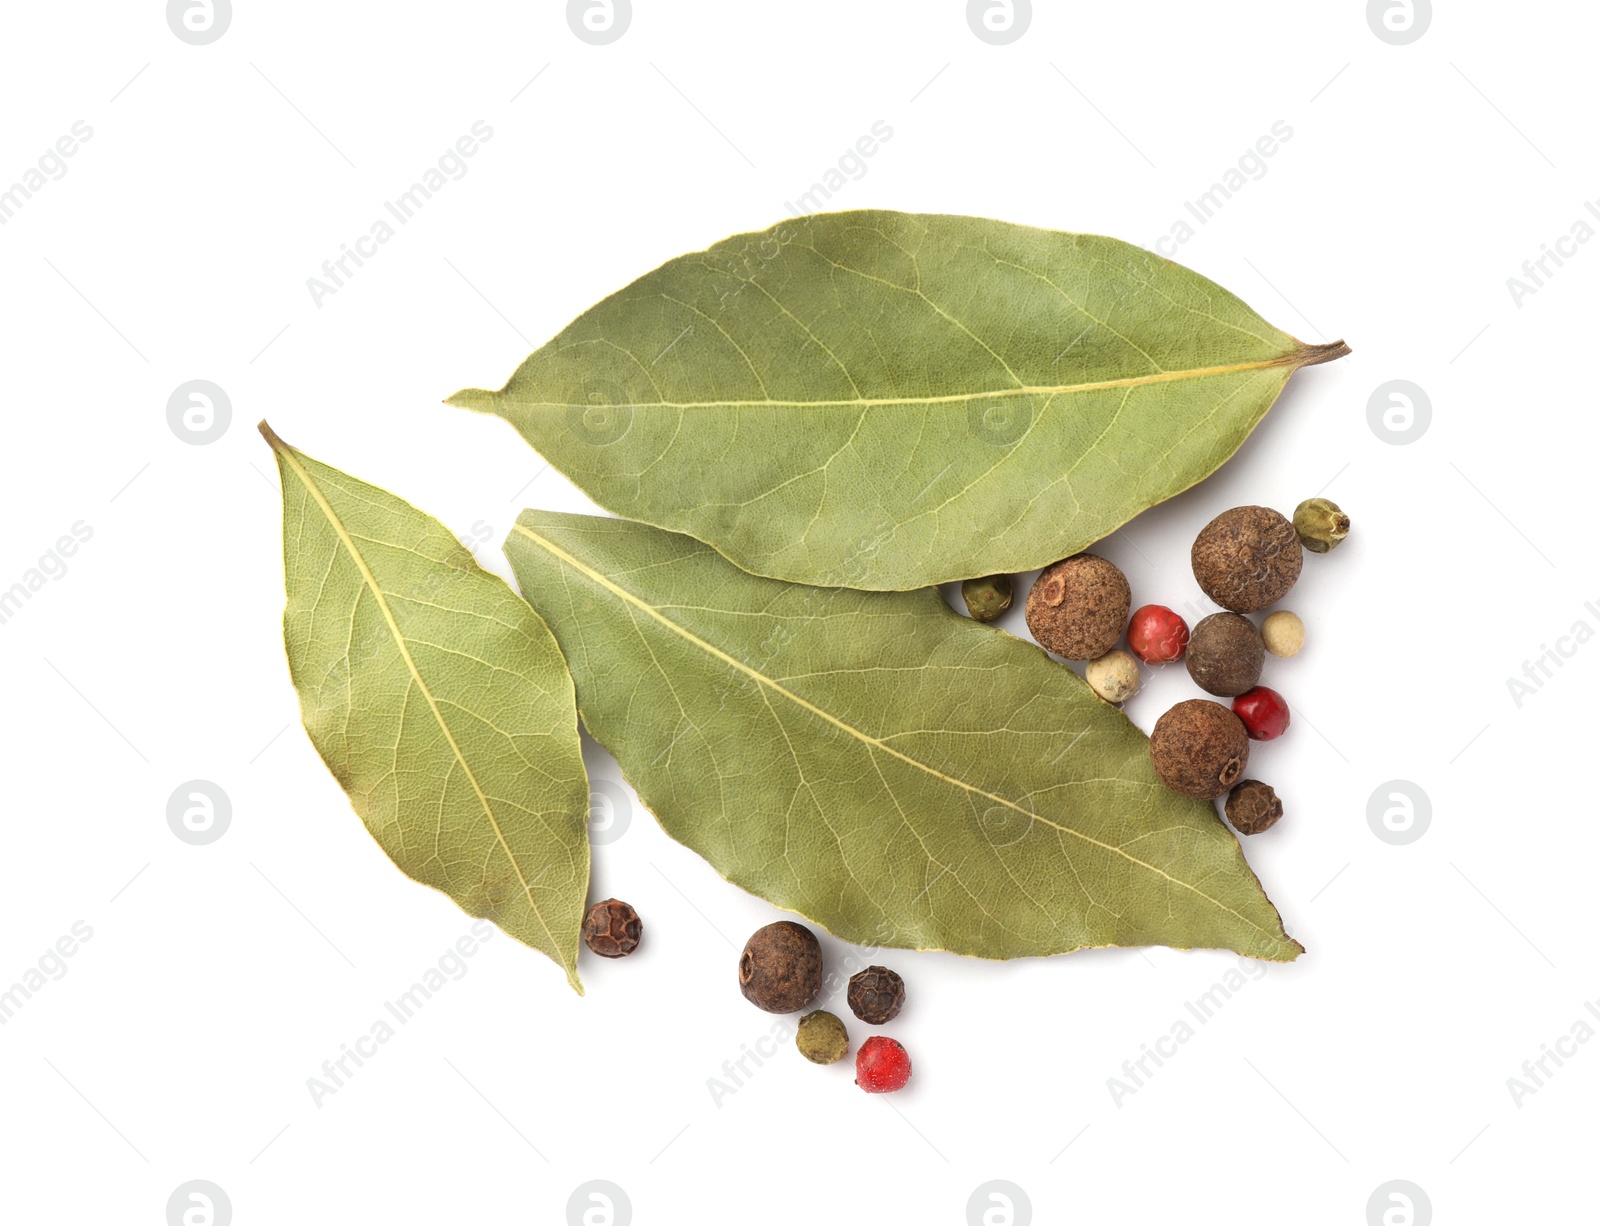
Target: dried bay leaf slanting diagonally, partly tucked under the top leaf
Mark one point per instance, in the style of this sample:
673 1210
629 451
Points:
878 763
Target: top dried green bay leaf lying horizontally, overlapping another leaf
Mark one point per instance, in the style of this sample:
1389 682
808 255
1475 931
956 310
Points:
889 401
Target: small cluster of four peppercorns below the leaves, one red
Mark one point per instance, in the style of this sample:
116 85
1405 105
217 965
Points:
782 971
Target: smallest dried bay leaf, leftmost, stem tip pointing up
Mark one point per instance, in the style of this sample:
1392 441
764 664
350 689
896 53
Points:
441 703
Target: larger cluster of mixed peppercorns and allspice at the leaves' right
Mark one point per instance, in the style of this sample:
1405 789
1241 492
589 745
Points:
1247 559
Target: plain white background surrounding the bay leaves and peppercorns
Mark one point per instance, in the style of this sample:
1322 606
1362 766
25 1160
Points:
218 979
